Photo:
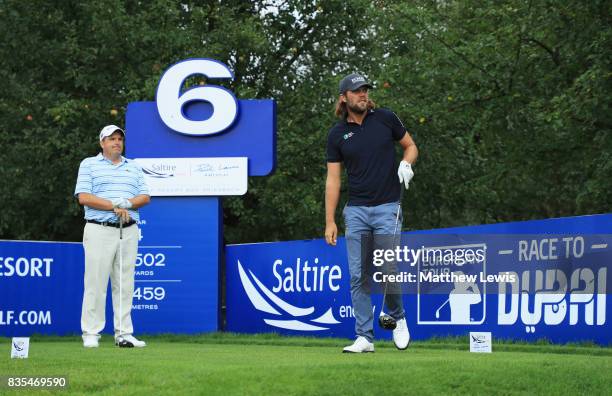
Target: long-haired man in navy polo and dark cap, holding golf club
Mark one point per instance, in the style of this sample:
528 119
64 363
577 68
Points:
364 141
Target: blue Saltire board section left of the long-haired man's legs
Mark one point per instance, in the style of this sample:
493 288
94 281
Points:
287 290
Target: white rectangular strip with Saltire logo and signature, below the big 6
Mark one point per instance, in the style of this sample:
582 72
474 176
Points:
195 176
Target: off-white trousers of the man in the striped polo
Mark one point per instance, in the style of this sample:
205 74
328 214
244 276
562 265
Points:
101 244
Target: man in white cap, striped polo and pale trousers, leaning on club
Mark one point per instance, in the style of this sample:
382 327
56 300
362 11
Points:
111 188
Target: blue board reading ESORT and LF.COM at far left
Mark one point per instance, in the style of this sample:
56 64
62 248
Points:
41 288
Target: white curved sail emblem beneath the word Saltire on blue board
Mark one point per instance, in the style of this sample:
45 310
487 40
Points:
286 316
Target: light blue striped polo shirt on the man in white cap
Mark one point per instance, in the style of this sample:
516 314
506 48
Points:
100 177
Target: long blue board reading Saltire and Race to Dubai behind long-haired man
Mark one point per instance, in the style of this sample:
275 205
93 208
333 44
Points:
551 281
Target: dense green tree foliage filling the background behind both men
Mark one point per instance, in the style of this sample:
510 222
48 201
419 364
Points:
508 101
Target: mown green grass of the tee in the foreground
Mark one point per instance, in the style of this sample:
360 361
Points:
266 364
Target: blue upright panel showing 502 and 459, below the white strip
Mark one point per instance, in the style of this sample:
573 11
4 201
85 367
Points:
176 284
